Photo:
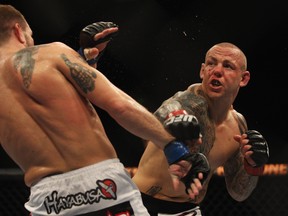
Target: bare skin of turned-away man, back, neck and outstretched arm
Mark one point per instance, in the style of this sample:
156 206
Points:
48 123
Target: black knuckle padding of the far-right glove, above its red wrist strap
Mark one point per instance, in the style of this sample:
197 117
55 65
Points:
259 147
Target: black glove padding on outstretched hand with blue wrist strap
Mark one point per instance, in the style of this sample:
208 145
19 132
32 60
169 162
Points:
200 164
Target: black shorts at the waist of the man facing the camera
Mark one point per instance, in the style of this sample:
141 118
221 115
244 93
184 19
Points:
157 207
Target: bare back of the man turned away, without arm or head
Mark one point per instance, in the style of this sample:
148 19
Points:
46 128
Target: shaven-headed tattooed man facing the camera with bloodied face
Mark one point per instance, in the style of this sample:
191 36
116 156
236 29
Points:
226 140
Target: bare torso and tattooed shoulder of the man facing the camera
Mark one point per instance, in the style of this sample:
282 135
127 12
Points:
153 165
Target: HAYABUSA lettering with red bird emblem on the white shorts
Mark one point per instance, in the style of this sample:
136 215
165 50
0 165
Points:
105 189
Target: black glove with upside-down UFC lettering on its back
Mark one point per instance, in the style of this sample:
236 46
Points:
182 125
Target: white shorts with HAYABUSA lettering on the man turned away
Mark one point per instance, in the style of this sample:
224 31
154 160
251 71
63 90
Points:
102 189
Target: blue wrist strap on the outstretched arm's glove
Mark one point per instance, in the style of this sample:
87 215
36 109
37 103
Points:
175 150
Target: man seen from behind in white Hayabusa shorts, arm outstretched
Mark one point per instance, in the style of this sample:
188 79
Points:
50 128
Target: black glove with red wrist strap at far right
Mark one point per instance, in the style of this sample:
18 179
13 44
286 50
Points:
260 153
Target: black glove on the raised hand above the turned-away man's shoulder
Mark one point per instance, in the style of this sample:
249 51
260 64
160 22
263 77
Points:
86 38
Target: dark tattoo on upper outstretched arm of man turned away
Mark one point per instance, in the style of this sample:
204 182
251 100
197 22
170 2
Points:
84 77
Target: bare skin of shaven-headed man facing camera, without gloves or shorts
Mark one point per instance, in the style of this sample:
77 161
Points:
222 74
